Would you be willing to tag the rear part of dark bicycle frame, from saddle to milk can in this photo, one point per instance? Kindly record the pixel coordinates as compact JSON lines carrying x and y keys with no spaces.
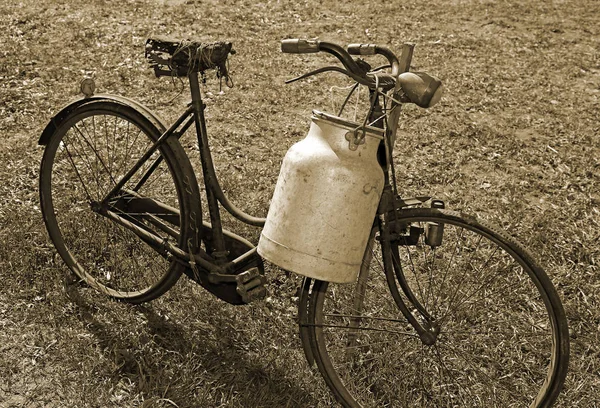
{"x":215,"y":263}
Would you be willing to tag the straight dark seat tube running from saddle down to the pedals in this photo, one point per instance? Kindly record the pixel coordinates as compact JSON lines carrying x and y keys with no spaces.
{"x":218,"y":250}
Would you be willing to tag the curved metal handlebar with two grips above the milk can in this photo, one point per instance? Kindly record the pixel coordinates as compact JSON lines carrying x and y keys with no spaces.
{"x":302,"y":46}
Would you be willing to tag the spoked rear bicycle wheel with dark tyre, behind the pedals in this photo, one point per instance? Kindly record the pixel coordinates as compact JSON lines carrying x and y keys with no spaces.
{"x":91,"y":149}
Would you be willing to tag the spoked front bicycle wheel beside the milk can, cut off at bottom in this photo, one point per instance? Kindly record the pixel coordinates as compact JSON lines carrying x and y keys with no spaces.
{"x":501,"y":332}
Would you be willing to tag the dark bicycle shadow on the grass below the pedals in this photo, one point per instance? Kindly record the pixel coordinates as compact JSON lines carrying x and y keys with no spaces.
{"x":218,"y":364}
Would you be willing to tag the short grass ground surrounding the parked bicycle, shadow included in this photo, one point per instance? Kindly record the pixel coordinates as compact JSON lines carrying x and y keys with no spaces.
{"x":516,"y":140}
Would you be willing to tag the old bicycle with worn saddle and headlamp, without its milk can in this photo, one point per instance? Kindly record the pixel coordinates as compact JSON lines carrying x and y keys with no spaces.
{"x":445,"y":310}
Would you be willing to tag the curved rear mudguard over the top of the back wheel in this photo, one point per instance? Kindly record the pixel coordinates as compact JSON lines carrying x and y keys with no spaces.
{"x":57,"y":119}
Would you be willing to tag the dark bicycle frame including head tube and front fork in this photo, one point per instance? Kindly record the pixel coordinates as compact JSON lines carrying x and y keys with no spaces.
{"x":214,"y":261}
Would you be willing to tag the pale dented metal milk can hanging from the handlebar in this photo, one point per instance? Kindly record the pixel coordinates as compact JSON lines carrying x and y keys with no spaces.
{"x":325,"y":201}
